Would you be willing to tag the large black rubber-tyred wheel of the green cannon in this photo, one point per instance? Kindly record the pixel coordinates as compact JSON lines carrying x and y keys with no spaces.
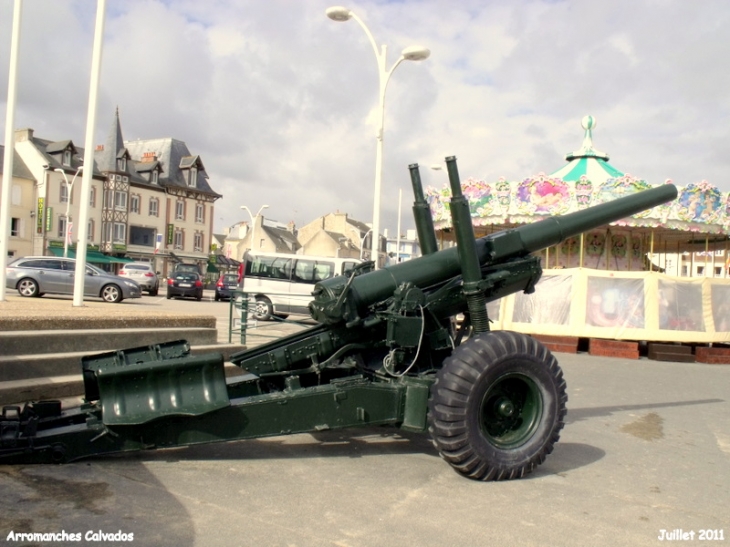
{"x":497,"y":406}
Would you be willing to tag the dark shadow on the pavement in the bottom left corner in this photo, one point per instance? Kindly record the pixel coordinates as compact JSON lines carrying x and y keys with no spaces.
{"x":91,"y":498}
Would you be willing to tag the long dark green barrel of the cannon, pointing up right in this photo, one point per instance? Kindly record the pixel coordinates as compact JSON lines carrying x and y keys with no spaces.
{"x":373,"y":287}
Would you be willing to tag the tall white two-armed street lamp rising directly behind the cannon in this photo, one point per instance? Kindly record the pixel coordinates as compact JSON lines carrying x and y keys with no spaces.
{"x":411,"y":53}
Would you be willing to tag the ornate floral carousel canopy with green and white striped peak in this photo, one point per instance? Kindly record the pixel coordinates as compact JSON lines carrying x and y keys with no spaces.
{"x":588,"y":179}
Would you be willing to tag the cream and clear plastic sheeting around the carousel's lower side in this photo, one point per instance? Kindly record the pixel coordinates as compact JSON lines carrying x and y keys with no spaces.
{"x":620,"y":305}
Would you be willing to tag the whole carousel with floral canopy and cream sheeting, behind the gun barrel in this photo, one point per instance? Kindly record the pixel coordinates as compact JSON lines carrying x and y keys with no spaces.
{"x":624,"y":281}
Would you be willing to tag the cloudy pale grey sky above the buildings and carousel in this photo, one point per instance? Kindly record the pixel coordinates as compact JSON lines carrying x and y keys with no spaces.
{"x":281,"y":103}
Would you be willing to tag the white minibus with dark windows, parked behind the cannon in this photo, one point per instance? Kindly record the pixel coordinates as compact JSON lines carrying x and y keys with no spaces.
{"x":282,"y":284}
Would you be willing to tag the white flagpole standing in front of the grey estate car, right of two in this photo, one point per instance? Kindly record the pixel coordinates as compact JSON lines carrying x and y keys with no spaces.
{"x":88,"y":172}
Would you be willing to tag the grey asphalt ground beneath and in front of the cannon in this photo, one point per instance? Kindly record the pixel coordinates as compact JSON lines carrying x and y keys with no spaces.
{"x":646,"y":448}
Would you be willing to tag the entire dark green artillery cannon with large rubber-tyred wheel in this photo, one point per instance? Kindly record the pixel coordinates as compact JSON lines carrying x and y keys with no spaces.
{"x":385,"y":352}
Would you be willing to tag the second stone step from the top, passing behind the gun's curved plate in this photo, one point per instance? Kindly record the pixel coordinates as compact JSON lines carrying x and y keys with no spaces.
{"x":22,"y":367}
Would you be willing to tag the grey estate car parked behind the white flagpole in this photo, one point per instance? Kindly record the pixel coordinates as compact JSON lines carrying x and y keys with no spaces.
{"x":38,"y":275}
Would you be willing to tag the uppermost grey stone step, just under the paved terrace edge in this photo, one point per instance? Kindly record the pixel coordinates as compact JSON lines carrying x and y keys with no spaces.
{"x":32,"y":342}
